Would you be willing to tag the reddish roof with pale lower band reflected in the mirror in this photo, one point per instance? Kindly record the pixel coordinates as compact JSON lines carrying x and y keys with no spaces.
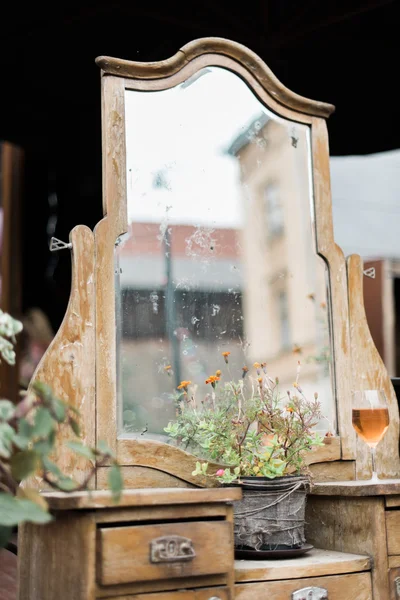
{"x":200,"y":258}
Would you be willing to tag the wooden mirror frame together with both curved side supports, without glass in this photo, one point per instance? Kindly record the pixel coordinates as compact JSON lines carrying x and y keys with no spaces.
{"x":356,"y":361}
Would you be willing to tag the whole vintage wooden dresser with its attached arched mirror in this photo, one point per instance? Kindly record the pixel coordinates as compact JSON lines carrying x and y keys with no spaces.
{"x":169,"y":279}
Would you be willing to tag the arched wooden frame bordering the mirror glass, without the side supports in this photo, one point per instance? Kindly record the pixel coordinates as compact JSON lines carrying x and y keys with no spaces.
{"x":117,"y":76}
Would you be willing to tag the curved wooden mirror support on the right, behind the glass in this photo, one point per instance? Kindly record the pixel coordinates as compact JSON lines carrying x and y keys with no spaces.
{"x":369,"y":372}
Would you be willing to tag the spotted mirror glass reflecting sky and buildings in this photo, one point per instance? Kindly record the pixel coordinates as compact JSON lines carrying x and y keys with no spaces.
{"x":219,"y":255}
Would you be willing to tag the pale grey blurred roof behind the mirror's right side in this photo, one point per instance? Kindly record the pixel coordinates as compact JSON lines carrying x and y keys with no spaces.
{"x":366,"y":204}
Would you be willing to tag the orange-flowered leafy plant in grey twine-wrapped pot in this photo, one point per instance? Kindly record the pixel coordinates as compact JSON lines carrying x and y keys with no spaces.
{"x":260,"y":437}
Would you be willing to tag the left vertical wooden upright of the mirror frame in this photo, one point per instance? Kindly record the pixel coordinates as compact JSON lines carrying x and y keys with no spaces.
{"x":106,"y":233}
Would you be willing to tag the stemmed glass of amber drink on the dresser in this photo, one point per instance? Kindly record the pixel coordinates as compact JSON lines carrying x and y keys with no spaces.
{"x":370,"y":417}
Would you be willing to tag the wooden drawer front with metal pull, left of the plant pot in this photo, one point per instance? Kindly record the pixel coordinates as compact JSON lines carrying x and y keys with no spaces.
{"x":123,"y":553}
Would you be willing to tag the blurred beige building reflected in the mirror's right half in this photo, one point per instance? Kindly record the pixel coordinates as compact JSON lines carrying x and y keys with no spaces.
{"x":285,"y":292}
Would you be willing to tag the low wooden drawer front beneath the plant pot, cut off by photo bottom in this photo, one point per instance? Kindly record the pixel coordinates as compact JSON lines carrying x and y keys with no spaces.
{"x":338,"y":587}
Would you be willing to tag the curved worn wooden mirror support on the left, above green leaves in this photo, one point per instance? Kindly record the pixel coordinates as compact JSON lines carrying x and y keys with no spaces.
{"x":68,"y":365}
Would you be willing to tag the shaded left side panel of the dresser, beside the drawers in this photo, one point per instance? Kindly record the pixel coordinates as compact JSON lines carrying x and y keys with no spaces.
{"x":57,"y":561}
